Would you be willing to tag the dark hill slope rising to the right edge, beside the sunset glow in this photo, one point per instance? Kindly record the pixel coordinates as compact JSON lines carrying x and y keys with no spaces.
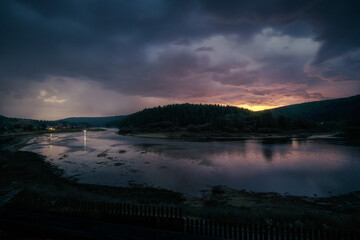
{"x":341,"y":109}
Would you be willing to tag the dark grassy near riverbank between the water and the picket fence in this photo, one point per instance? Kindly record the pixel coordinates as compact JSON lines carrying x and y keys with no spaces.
{"x":28,"y":176}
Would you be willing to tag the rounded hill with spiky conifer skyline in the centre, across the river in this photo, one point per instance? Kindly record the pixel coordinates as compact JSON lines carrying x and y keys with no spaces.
{"x":198,"y":117}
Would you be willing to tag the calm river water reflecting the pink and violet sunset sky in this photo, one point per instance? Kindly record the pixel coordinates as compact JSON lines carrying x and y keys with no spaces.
{"x":300,"y":167}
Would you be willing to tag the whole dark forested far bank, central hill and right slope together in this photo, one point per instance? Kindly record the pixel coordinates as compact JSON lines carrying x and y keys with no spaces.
{"x":322,"y":116}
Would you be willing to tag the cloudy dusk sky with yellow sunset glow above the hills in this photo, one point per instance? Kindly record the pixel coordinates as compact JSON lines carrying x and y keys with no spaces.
{"x":111,"y":57}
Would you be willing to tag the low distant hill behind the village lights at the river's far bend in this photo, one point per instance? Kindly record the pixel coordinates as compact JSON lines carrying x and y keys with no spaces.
{"x":96,"y":121}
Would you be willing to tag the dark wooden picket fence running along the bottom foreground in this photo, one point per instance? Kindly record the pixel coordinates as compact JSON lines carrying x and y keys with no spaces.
{"x":171,"y":218}
